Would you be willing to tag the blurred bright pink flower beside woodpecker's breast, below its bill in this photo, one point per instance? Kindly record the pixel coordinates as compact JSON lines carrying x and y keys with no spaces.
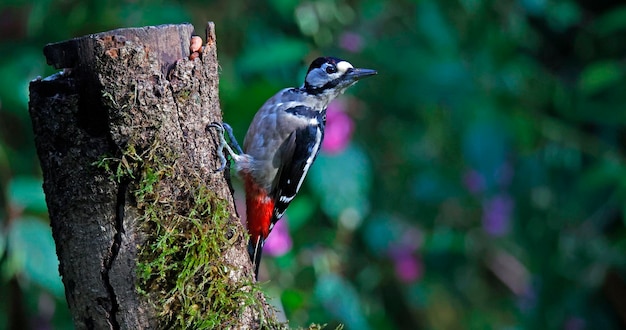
{"x":339,"y":128}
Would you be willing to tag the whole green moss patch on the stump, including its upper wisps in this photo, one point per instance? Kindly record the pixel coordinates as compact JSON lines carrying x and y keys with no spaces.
{"x":179,"y":267}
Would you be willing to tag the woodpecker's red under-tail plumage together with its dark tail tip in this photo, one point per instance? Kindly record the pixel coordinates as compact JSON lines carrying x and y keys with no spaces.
{"x":259,"y":210}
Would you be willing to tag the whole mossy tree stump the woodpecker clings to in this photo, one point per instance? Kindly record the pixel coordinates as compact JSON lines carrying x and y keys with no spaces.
{"x":127,"y":162}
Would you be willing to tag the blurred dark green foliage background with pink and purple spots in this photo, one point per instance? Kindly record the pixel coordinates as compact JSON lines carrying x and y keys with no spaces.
{"x":478,"y":182}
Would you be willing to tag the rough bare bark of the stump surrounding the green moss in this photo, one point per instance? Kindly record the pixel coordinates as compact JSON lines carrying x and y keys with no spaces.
{"x":128,"y":88}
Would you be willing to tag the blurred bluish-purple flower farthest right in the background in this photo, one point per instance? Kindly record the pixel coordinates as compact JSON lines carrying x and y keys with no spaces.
{"x":497,"y":215}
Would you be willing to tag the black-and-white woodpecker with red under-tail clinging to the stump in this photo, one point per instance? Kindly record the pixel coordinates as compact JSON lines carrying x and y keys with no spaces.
{"x":281,"y":144}
